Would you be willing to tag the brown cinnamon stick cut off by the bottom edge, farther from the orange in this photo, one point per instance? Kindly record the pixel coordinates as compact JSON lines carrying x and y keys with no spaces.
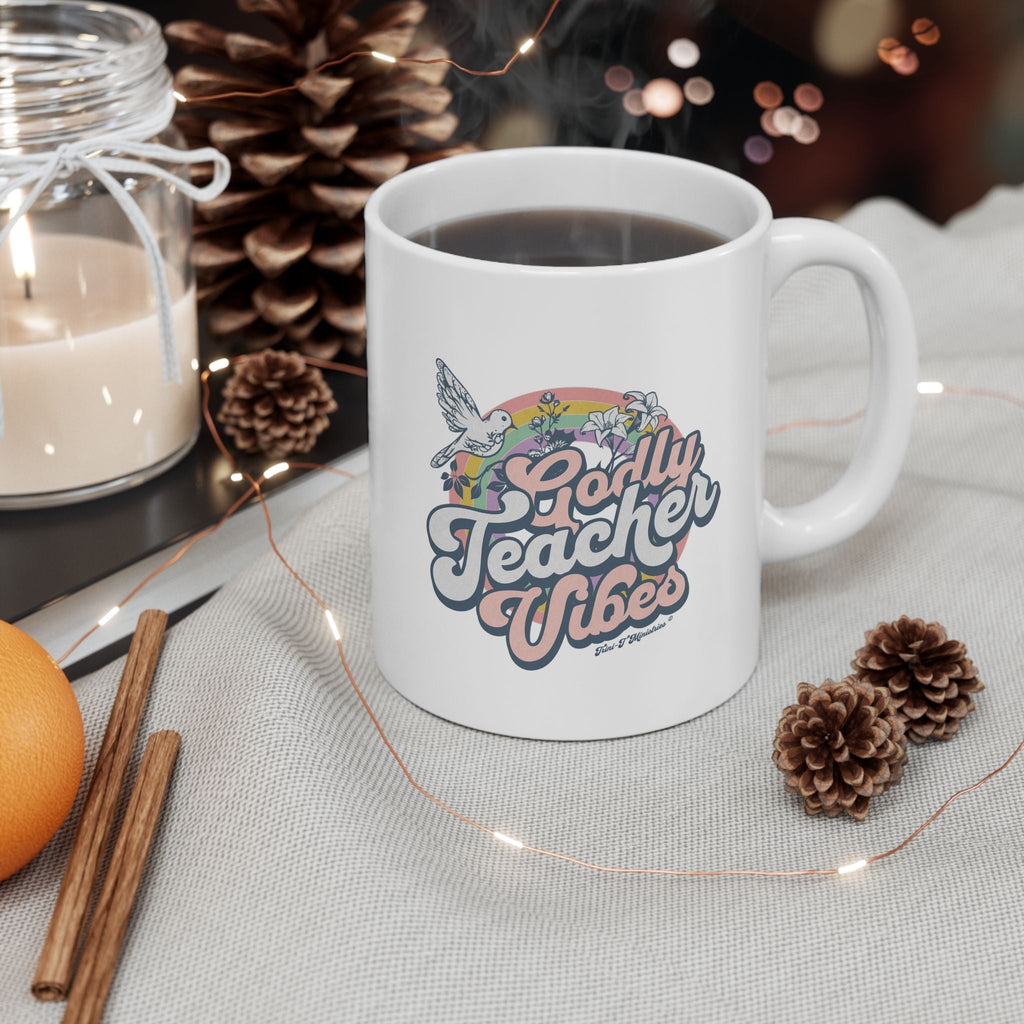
{"x":110,"y":922}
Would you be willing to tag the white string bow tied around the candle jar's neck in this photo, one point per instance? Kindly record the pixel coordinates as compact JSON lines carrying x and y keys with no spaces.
{"x":37,"y":172}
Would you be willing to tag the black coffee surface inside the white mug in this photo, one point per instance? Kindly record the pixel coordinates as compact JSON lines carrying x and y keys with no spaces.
{"x":568,"y":238}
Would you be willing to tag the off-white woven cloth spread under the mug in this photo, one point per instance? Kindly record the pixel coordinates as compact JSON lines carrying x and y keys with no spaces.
{"x":297,"y":877}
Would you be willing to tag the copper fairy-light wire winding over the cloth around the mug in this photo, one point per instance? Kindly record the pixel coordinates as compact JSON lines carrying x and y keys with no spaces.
{"x":255,"y":489}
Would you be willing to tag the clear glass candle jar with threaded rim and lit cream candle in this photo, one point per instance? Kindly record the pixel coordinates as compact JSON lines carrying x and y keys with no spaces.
{"x":99,"y":357}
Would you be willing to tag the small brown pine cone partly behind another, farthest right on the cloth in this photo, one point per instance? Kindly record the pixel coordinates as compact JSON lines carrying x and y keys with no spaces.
{"x":930,"y":677}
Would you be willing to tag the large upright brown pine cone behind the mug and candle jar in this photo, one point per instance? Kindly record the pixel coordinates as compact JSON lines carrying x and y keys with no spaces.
{"x":279,"y":257}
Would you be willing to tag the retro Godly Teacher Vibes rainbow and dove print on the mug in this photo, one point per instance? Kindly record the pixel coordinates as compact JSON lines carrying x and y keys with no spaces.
{"x":567,"y":517}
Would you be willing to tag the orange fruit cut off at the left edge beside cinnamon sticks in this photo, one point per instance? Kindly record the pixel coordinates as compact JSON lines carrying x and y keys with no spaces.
{"x":42,"y":749}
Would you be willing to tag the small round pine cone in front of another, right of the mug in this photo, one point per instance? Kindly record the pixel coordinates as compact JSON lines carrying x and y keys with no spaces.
{"x":841,"y":745}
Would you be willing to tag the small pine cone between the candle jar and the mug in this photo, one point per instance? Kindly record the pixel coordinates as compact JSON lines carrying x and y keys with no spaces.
{"x":275,"y":404}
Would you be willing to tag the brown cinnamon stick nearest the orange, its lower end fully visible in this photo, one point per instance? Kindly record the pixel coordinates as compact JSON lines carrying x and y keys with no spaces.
{"x":57,"y":962}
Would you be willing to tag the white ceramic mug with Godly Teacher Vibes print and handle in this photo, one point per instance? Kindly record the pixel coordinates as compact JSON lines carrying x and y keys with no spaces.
{"x":568,"y":507}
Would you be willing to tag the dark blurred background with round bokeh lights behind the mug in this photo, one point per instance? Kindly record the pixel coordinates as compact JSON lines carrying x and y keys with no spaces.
{"x":922,"y":101}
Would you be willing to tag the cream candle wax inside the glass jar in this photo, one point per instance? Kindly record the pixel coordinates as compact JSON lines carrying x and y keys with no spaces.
{"x":80,"y":367}
